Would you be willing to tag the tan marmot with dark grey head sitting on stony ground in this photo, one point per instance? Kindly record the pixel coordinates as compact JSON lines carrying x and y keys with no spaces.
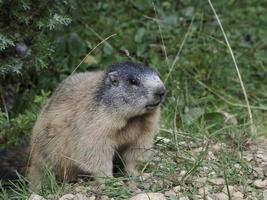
{"x":93,"y":116}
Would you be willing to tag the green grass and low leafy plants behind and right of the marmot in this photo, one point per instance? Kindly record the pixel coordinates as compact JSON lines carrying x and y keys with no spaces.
{"x":185,"y":43}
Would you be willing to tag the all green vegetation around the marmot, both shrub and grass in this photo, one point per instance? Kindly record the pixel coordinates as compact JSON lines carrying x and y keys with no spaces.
{"x":41,"y":45}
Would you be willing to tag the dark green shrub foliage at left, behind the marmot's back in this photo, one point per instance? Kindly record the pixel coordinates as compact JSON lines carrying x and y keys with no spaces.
{"x":26,"y":47}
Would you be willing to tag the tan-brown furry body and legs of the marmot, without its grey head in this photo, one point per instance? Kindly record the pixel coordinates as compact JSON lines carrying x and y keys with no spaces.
{"x":72,"y":135}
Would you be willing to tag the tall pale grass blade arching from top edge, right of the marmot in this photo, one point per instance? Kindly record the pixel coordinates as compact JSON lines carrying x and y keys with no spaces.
{"x":252,"y":126}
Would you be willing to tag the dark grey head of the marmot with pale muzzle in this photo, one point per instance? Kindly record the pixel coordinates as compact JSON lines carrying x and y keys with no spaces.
{"x":131,"y":89}
